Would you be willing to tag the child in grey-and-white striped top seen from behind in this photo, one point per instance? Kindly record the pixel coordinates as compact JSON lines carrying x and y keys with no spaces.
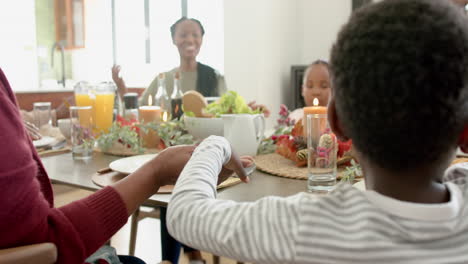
{"x":400,"y":92}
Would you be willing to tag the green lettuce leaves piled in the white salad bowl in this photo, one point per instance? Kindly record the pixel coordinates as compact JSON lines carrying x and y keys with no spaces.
{"x":230,"y":103}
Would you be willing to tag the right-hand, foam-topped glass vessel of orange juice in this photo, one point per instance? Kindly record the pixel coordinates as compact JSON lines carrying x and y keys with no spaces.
{"x":104,"y":94}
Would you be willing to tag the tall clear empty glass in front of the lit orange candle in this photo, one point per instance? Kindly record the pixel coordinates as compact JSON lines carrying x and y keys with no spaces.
{"x":322,"y":154}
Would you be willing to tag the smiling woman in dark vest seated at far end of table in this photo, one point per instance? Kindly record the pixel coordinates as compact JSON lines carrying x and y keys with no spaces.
{"x":187,"y":36}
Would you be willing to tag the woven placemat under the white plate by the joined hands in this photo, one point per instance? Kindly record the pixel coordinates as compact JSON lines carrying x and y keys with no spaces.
{"x":106,"y":179}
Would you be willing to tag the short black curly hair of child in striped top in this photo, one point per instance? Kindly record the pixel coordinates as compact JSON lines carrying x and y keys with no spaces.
{"x":400,"y":75}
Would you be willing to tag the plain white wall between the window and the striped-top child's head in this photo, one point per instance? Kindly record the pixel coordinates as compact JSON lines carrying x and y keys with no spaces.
{"x":263,"y":38}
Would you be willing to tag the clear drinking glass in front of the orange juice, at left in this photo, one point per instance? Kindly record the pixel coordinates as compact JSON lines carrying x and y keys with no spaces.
{"x":81,"y":133}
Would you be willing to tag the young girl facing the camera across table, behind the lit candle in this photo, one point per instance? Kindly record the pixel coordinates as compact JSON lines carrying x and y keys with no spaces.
{"x":316,"y":84}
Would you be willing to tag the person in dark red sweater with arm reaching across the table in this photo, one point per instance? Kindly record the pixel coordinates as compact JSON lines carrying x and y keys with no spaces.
{"x":78,"y":229}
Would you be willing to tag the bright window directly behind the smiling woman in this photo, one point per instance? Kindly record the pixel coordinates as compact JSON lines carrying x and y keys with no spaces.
{"x":141,"y":60}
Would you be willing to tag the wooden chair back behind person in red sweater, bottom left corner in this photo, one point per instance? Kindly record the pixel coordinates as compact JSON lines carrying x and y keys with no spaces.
{"x":44,"y":253}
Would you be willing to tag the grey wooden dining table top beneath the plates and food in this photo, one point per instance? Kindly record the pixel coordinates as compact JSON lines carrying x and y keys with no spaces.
{"x":64,"y":169}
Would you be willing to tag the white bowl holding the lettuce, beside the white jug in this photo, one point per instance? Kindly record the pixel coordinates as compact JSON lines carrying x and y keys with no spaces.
{"x":203,"y":127}
